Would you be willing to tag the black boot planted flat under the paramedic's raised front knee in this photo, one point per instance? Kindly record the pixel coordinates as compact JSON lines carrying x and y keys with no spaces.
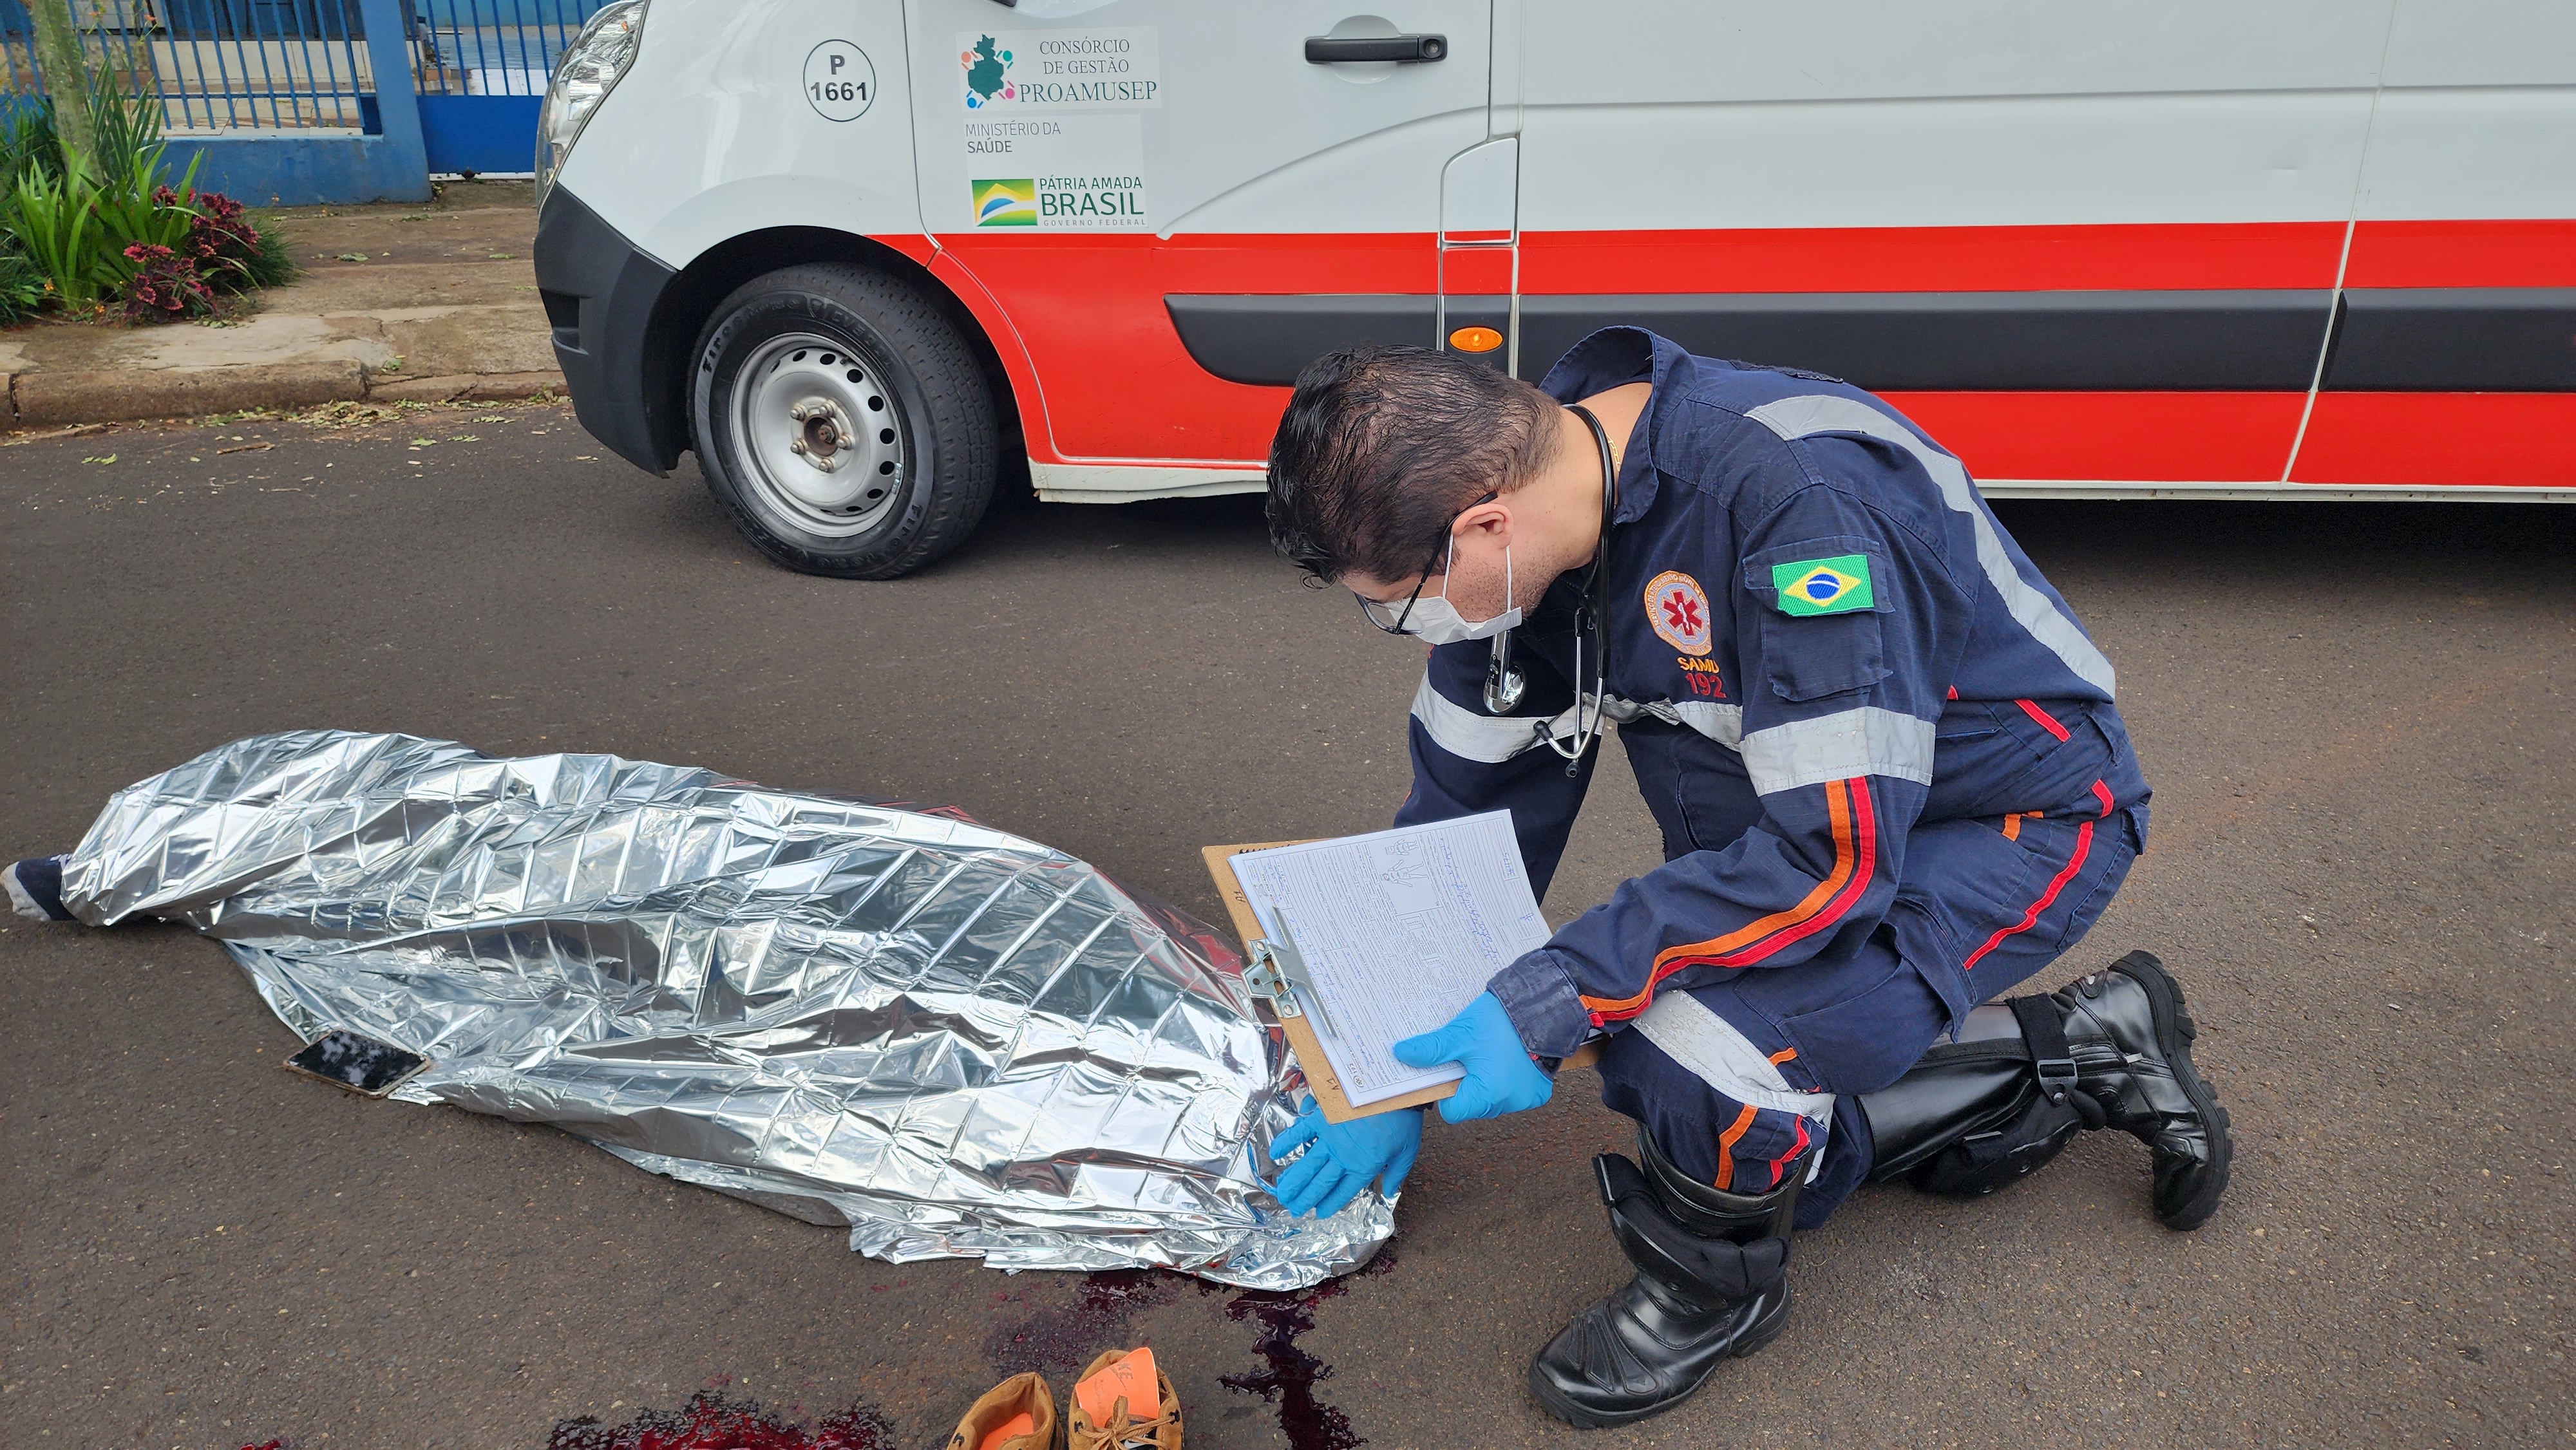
{"x":1709,"y":1286}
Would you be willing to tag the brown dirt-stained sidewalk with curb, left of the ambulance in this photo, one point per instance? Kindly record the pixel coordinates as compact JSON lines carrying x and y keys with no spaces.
{"x":401,"y":303}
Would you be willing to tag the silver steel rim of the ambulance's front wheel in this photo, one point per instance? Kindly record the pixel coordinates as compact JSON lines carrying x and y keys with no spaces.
{"x":818,"y":437}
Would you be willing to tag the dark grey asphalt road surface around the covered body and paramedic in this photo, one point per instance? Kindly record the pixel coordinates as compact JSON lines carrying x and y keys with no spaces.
{"x":2358,"y":725}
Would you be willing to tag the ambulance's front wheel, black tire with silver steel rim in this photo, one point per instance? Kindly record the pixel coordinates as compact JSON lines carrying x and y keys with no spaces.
{"x":885,"y":388}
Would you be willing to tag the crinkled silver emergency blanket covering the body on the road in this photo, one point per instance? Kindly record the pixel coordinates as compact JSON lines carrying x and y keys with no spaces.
{"x":952,"y":1039}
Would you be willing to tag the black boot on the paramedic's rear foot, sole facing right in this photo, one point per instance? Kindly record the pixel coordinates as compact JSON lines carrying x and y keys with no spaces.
{"x":2106,"y":1052}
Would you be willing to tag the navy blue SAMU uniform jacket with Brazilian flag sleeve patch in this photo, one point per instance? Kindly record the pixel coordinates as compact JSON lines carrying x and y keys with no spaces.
{"x":1817,"y":640}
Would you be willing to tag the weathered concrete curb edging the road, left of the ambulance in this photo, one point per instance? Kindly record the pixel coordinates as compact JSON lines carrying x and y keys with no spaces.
{"x":133,"y":395}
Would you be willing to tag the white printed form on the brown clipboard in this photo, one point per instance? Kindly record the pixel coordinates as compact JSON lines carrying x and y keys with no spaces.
{"x":1397,"y":931}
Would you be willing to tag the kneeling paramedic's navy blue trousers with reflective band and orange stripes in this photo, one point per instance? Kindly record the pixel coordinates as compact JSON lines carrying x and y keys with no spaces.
{"x":1799,"y":1044}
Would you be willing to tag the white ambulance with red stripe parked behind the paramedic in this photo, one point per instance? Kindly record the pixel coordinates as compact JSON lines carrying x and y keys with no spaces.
{"x":862,"y":254}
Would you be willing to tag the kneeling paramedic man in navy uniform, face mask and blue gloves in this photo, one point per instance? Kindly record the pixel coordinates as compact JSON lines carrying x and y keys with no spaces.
{"x":1889,"y":777}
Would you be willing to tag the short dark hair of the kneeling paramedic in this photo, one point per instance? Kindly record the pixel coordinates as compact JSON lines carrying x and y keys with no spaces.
{"x":1385,"y":447}
